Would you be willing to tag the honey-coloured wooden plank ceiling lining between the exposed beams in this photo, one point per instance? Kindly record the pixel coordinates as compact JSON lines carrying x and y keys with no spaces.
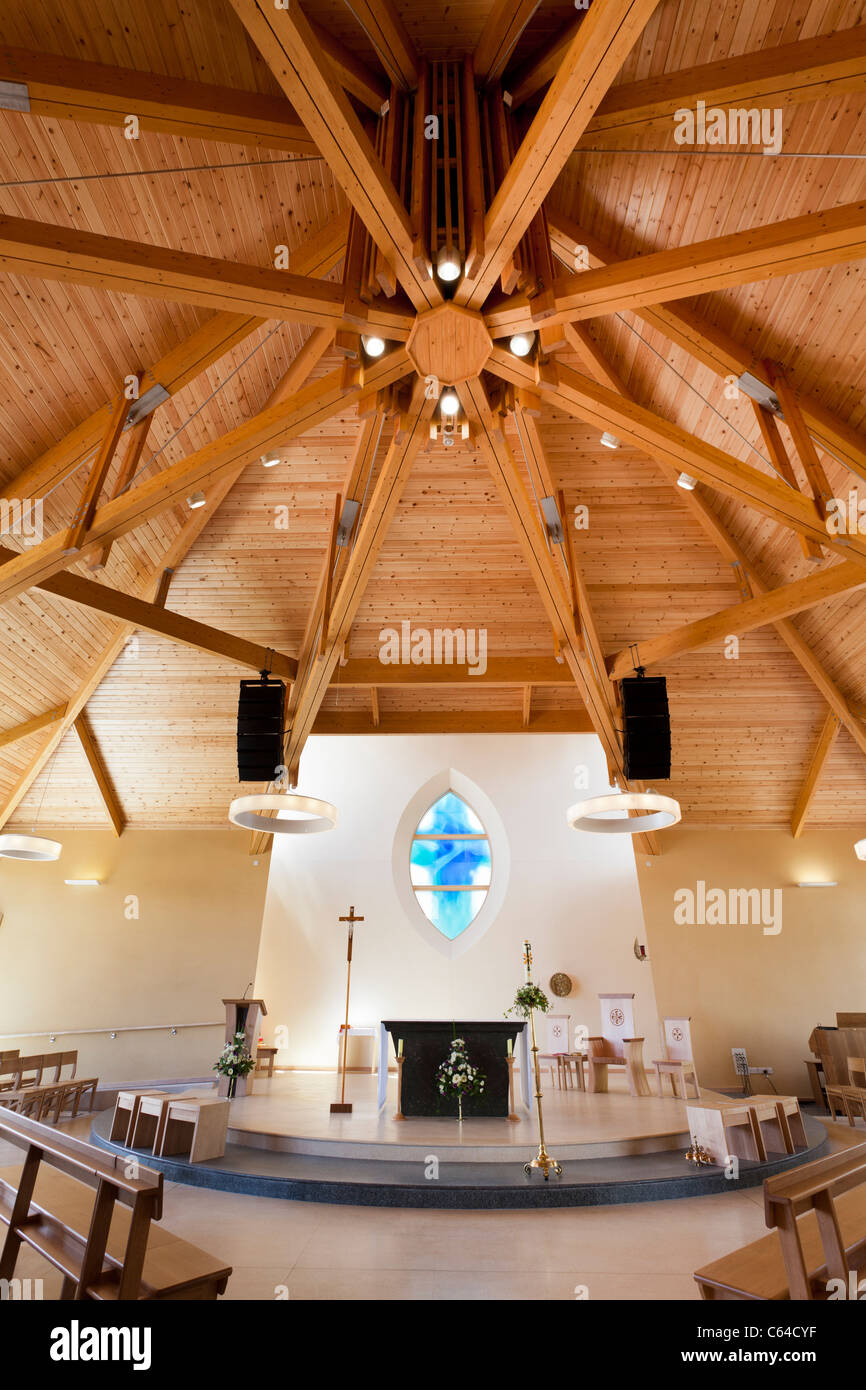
{"x":775,"y":737}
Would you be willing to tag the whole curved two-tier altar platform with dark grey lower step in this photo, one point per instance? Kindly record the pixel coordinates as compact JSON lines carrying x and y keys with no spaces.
{"x":283,"y":1142}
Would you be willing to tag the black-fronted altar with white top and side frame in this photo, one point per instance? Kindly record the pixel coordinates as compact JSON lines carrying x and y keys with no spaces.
{"x":426,"y":1045}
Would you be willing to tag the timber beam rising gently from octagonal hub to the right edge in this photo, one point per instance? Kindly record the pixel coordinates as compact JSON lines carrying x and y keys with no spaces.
{"x":787,"y":248}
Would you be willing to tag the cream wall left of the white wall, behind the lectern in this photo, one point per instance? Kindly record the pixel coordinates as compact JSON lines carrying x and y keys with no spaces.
{"x":72,"y":958}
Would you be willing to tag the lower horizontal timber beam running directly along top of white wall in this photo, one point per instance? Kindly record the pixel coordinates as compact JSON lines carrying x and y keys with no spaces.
{"x":452,"y":722}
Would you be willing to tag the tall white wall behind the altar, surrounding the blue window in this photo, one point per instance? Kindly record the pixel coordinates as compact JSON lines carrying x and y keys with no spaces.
{"x":575,"y":894}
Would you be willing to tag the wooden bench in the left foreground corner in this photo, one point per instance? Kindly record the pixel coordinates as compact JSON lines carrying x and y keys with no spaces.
{"x":77,"y":1207}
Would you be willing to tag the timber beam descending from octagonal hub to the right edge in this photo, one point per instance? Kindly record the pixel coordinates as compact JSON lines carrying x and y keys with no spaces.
{"x":661,"y":440}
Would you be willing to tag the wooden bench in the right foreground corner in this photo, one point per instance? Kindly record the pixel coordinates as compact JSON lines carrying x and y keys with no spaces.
{"x":818,"y":1232}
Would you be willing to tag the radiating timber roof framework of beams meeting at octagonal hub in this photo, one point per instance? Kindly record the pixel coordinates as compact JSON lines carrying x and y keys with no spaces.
{"x":518,"y":276}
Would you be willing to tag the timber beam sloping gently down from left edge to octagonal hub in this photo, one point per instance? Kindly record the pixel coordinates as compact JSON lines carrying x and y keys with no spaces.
{"x":38,"y":250}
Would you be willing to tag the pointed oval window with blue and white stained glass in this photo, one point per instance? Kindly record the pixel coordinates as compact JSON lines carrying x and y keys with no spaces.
{"x":451,"y":865}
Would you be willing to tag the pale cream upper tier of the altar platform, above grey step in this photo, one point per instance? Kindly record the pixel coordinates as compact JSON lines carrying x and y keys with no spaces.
{"x":290,"y":1113}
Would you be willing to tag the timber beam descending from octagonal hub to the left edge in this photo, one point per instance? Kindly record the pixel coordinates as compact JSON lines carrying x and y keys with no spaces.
{"x":295,"y":416}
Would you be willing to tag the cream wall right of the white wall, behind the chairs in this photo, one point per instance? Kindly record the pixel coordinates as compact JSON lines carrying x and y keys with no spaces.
{"x":742,"y":988}
